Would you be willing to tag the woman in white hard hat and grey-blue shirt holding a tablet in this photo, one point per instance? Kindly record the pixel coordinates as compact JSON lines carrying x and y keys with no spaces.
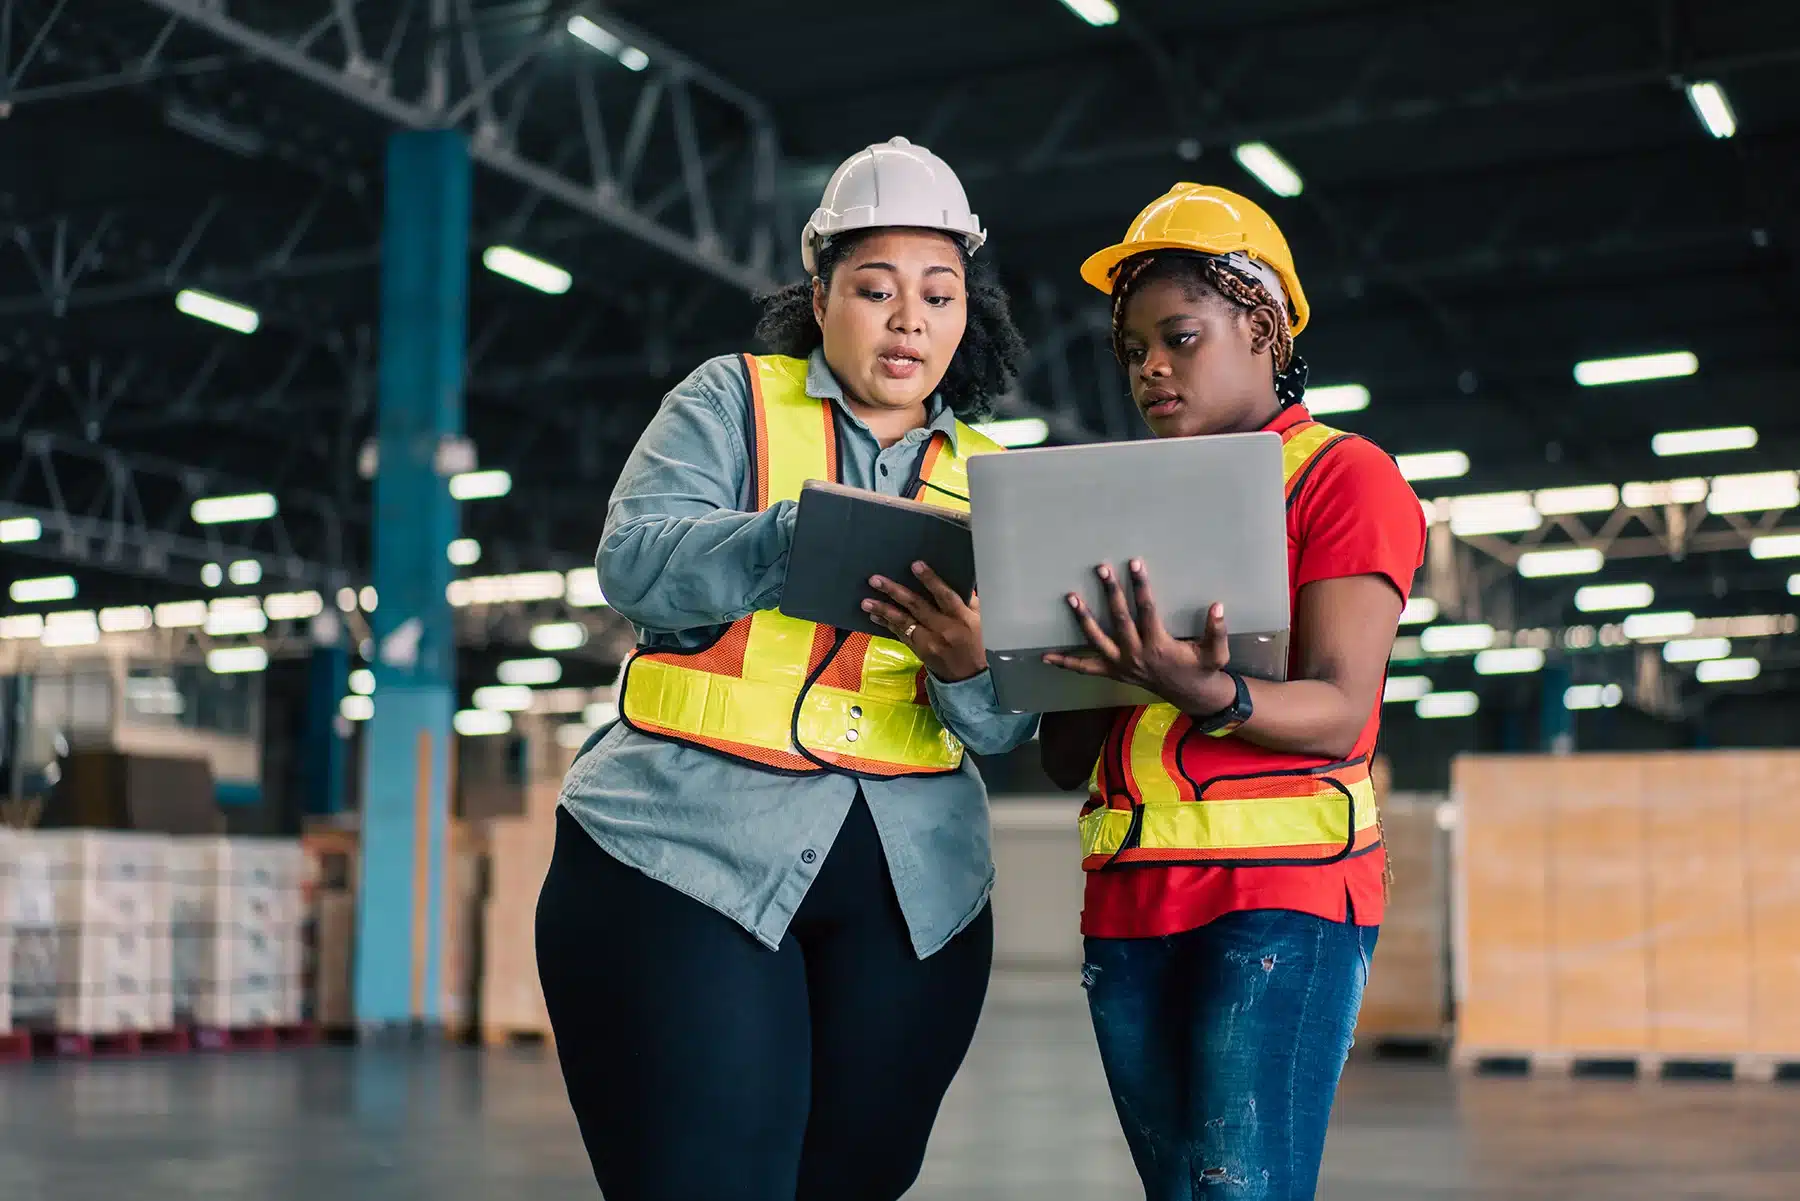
{"x":766,"y":934}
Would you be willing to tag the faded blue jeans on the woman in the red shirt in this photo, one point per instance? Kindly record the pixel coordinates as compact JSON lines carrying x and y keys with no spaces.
{"x":1223,"y":1047}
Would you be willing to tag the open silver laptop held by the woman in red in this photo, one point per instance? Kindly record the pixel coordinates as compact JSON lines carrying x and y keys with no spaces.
{"x":1207,"y":516}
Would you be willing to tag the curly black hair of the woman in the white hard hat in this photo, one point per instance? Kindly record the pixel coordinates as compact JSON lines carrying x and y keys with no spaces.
{"x":984,"y":366}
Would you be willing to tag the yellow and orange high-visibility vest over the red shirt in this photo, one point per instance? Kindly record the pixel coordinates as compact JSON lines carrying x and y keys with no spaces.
{"x":1151,"y":802}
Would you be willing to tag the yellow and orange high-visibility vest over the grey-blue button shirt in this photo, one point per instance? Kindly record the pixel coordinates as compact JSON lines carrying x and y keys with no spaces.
{"x":793,"y":696}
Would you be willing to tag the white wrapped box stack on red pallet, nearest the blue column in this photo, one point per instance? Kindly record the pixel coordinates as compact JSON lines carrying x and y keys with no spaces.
{"x":237,"y":919}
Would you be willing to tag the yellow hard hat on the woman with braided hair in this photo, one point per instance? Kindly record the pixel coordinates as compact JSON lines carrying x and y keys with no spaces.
{"x":1207,"y":221}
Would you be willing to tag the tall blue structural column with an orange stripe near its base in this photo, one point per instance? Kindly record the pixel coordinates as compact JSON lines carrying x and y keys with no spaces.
{"x":406,"y":782}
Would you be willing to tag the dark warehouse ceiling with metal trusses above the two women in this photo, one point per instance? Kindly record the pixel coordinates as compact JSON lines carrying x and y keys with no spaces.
{"x":1495,"y":190}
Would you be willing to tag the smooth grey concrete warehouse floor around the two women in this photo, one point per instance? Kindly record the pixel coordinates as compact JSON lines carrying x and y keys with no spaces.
{"x":1029,"y":1119}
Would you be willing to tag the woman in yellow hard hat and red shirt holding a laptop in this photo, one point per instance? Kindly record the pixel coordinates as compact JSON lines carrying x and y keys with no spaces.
{"x":1234,"y":851}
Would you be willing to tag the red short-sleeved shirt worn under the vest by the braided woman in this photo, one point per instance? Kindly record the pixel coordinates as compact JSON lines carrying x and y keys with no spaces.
{"x":1354,"y":516}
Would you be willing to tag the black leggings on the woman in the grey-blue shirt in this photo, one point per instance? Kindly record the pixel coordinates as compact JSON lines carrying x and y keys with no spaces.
{"x":705,"y":1067}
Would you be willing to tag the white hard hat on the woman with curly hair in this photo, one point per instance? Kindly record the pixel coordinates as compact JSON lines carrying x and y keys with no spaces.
{"x":892,"y":183}
